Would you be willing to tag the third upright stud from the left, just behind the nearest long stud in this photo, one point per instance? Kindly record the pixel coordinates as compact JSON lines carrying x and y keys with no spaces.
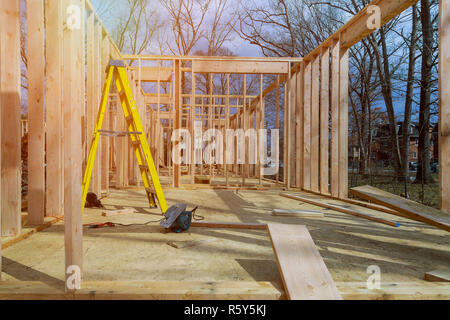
{"x":54,"y":173}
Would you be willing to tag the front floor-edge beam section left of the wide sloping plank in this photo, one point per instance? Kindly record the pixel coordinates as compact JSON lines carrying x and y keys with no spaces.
{"x":150,"y":290}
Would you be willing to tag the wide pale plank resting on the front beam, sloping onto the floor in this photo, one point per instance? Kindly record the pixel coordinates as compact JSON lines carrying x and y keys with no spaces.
{"x":304,"y":273}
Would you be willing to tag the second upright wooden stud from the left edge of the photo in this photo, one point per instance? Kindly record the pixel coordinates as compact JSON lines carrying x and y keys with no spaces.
{"x":36,"y":119}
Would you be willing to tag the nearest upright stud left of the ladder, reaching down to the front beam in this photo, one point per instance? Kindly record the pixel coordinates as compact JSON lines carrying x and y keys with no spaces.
{"x":73,"y":78}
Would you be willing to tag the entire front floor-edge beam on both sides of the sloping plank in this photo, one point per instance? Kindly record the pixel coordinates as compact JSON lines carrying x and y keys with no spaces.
{"x":200,"y":290}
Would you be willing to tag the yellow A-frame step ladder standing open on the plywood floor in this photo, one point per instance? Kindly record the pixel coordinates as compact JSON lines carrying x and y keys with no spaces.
{"x":117,"y":72}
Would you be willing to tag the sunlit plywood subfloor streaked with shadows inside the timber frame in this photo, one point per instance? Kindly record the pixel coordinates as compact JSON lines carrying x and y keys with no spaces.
{"x":348,"y":245}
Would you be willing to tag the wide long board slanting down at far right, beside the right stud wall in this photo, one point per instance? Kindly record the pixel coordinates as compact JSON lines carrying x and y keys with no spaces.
{"x":415,"y":211}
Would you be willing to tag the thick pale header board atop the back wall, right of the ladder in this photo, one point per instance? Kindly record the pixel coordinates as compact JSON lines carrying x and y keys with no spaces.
{"x":240,"y":67}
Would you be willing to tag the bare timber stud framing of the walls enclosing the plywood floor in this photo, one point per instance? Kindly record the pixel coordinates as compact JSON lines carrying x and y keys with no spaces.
{"x":66,"y":70}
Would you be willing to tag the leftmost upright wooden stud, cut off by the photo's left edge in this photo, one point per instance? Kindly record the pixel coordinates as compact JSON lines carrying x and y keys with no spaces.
{"x":11,"y":203}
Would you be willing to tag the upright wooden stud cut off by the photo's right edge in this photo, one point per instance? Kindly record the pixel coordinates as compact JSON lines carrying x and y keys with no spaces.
{"x":444,"y":105}
